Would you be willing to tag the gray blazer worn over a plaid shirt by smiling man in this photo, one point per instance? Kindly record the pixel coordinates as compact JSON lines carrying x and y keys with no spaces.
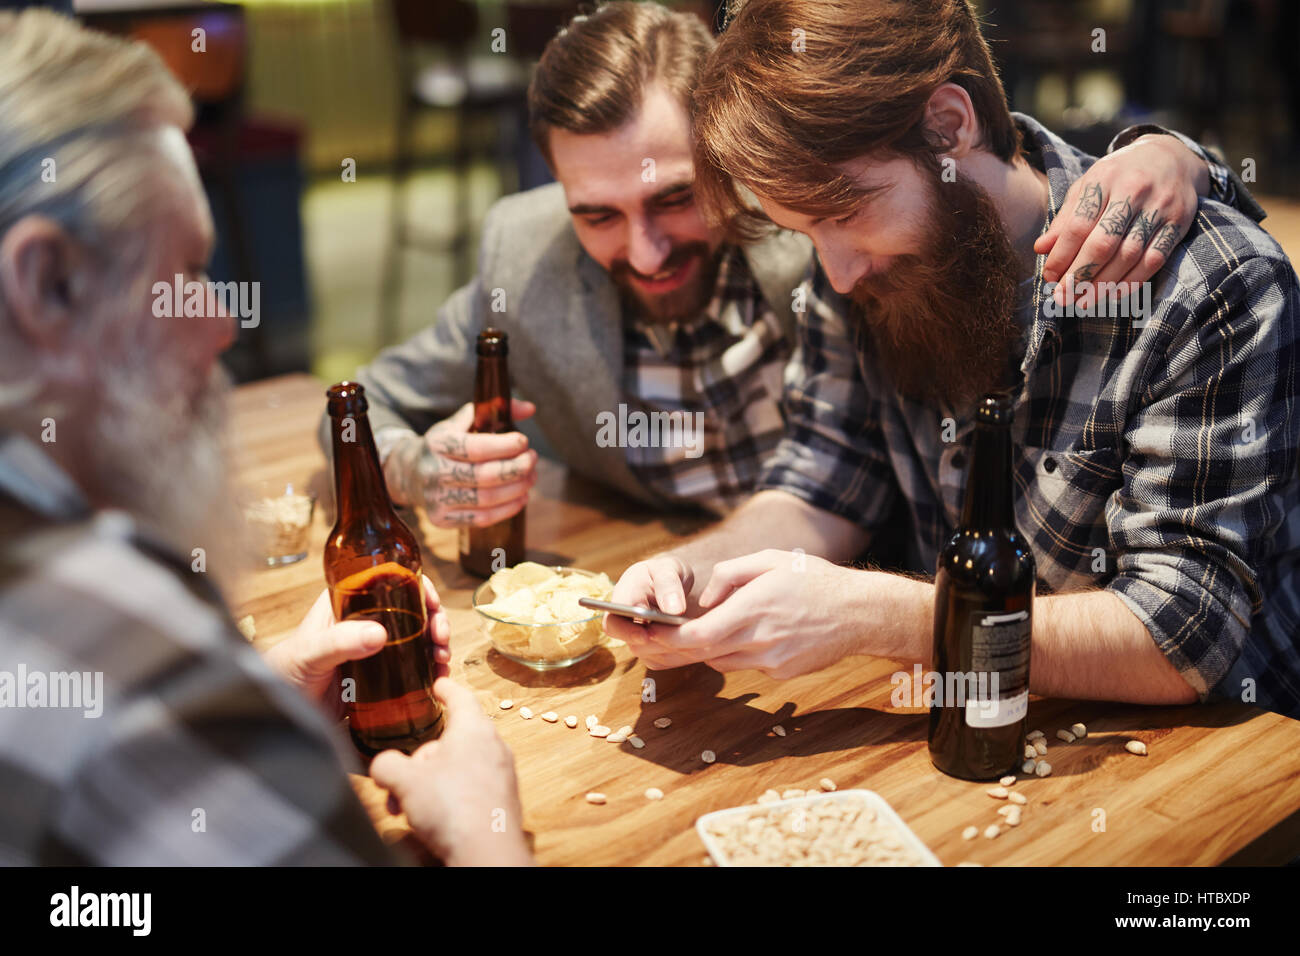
{"x":562,"y":313}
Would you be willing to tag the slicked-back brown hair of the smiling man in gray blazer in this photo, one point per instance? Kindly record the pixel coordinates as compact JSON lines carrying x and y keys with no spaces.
{"x":593,"y":75}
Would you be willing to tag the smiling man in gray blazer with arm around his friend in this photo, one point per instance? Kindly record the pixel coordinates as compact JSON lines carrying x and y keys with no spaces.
{"x":626,"y":312}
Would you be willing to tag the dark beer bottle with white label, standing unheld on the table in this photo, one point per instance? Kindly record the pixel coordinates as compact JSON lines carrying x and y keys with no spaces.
{"x":983,"y":616}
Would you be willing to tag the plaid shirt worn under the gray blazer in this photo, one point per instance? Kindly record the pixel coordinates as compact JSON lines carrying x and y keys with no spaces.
{"x":727,"y":366}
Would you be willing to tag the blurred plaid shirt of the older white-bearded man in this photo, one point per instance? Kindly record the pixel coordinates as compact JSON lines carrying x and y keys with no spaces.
{"x":201,"y":755}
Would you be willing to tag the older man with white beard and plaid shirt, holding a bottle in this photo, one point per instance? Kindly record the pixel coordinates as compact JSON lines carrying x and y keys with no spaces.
{"x":111,"y":473}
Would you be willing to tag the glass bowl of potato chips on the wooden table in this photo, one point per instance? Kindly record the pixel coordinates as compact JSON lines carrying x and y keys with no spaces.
{"x":531,"y":613}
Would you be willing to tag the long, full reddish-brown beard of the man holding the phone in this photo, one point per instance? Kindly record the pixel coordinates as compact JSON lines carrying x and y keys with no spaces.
{"x":943,"y":325}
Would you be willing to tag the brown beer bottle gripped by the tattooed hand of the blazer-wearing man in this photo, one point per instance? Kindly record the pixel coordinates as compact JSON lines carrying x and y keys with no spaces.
{"x":484,"y":551}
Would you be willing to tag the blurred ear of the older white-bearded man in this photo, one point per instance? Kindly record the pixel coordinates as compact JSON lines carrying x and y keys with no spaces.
{"x":38,"y":279}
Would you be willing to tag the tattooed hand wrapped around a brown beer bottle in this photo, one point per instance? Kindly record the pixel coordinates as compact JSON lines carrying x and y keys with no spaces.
{"x":462,"y":478}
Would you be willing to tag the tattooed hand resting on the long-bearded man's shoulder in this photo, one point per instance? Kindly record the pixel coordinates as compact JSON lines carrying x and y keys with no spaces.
{"x":1123,"y":218}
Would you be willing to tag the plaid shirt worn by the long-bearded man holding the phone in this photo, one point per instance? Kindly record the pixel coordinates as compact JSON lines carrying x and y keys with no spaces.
{"x":1156,"y":460}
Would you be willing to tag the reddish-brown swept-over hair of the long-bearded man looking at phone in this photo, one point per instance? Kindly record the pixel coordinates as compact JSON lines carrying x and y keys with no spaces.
{"x":799,"y":86}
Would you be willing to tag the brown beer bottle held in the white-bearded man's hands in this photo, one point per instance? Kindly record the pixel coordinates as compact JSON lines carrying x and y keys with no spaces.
{"x":372,"y":566}
